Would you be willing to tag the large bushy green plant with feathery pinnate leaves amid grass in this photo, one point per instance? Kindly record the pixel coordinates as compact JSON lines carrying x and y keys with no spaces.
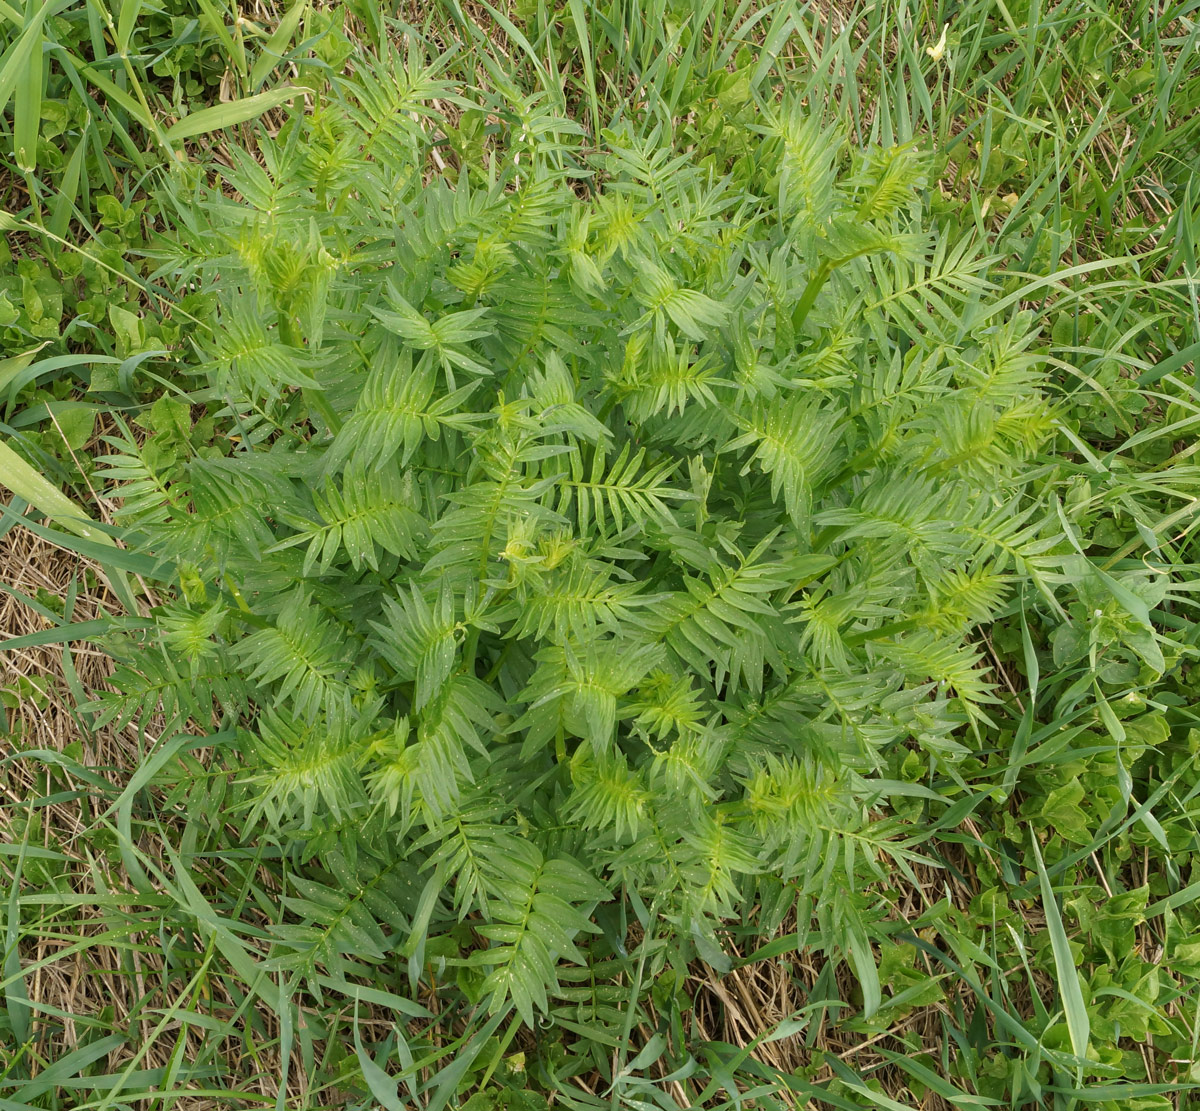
{"x":593,"y":541}
